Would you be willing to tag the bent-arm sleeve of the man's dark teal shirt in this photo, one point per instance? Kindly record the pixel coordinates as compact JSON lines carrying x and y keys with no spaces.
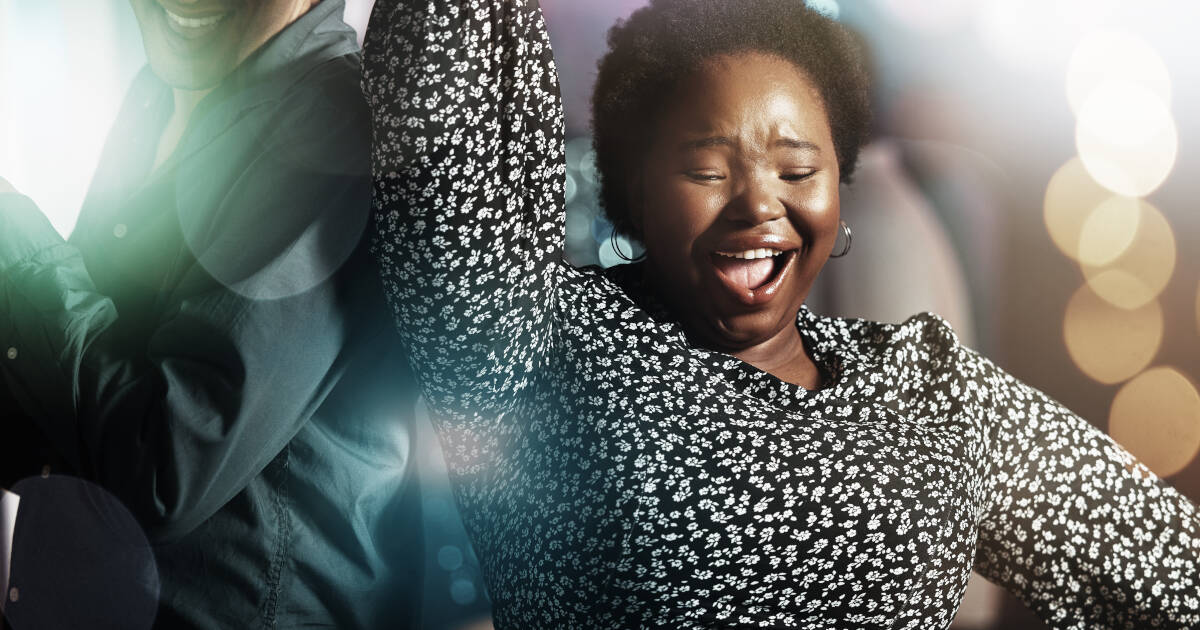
{"x":176,"y":416}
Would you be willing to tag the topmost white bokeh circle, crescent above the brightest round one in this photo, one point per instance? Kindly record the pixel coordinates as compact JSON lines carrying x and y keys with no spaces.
{"x":1108,"y":56}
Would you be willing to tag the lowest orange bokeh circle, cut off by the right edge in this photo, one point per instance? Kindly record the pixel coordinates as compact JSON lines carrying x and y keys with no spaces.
{"x":1157,"y":418}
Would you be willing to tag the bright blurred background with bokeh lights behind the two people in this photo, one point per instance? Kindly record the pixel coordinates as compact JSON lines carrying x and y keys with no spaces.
{"x":1034,"y":179}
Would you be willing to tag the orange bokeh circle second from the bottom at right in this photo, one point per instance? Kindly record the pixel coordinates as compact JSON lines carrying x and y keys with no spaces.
{"x":1111,"y":345}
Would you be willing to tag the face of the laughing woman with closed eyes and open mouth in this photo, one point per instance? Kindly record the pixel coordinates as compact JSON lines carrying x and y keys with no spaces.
{"x":737,"y":201}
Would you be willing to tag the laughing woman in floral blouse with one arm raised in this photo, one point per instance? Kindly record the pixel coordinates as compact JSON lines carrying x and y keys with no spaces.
{"x":681,"y":443}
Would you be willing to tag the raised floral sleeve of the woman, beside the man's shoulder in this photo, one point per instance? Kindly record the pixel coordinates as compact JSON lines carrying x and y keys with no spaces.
{"x":469,"y":176}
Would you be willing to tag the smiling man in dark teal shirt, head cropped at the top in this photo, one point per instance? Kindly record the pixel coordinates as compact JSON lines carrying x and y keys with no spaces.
{"x":212,"y":349}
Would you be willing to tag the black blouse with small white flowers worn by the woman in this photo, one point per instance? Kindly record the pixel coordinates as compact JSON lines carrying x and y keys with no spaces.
{"x":615,"y":476}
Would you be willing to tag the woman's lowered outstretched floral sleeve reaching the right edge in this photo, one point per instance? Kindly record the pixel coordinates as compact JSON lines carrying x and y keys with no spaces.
{"x":1073,"y":525}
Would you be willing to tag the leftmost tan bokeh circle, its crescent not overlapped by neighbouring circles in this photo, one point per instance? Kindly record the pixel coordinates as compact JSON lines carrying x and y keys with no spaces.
{"x":1072,"y":199}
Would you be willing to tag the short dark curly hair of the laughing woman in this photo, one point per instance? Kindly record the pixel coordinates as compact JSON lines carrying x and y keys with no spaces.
{"x":661,"y":45}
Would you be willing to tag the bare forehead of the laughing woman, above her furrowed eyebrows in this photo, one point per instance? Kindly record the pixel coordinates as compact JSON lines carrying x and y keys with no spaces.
{"x":748,"y":95}
